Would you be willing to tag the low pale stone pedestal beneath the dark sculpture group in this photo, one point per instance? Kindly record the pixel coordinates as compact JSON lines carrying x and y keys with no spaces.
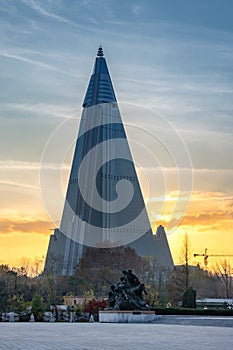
{"x":127,"y":316}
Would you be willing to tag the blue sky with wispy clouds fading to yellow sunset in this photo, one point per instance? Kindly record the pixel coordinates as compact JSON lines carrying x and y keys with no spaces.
{"x":171,"y":63}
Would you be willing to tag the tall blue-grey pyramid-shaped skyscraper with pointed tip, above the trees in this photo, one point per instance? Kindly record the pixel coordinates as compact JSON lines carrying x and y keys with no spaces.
{"x":104,"y":205}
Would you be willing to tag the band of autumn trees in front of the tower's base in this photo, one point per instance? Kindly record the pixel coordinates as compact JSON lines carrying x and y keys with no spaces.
{"x":99,"y":268}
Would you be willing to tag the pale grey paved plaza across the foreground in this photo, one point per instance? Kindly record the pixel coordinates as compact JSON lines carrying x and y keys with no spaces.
{"x":100,"y":336}
